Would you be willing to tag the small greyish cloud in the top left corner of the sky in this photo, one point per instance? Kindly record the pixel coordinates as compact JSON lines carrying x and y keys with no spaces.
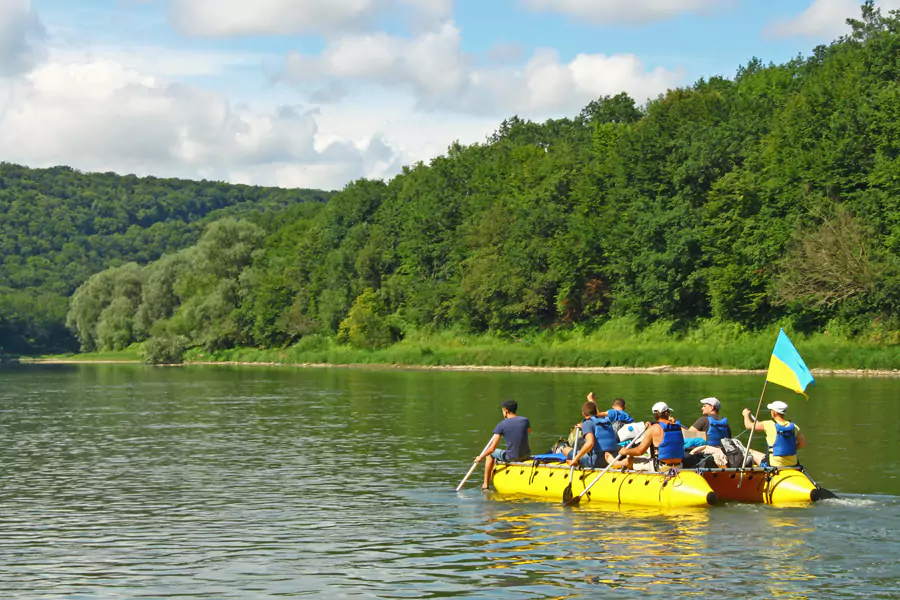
{"x":20,"y":32}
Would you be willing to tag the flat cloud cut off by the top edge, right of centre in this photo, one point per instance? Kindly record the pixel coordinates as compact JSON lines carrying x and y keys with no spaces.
{"x":620,"y":11}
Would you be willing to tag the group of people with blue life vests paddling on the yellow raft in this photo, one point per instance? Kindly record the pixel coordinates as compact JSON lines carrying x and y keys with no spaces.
{"x":599,"y":441}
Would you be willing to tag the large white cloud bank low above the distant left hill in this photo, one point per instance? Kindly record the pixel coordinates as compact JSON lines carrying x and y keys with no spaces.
{"x":100,"y":115}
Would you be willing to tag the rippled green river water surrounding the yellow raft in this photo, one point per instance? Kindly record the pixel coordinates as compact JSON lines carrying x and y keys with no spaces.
{"x":259,"y":482}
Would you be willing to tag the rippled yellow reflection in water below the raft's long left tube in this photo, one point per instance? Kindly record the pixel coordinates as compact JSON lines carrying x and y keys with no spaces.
{"x":632,"y":548}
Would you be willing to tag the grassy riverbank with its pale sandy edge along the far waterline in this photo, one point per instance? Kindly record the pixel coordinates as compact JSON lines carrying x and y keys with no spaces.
{"x":708,"y":349}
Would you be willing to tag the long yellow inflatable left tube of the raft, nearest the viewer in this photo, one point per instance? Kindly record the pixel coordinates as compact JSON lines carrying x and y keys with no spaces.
{"x":549,"y":481}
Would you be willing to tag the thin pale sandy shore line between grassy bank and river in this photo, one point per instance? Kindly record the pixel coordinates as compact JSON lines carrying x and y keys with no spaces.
{"x":662,"y":369}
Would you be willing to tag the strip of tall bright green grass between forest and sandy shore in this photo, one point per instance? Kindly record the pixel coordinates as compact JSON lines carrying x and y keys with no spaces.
{"x":617,"y":343}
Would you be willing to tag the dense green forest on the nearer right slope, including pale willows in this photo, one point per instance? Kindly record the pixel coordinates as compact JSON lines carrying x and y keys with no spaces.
{"x":770,"y":197}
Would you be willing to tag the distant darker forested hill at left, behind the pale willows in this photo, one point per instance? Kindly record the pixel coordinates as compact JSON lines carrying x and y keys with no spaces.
{"x":59,"y":226}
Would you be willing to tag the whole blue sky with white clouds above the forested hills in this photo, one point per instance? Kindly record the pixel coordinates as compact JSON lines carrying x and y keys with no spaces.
{"x":318,"y":93}
